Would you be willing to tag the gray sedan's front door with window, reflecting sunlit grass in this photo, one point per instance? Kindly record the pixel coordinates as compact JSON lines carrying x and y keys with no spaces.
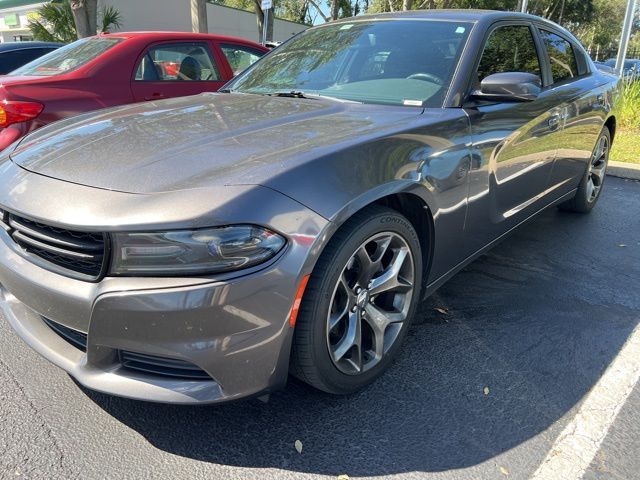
{"x":514,"y":143}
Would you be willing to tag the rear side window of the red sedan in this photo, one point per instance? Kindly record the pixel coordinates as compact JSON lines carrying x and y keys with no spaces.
{"x":178,"y":62}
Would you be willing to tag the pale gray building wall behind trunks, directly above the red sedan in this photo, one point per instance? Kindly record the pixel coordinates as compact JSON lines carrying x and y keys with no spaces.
{"x":176,"y":15}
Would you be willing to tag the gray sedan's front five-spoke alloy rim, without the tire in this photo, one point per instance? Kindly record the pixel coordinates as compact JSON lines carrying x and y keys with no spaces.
{"x":370,"y":303}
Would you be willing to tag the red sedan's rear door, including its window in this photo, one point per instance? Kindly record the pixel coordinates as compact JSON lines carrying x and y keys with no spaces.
{"x":176,"y":69}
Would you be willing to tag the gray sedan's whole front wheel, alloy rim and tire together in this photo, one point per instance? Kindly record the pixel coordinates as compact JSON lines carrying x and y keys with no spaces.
{"x":359,"y":302}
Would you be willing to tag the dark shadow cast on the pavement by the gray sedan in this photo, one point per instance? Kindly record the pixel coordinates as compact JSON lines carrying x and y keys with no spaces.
{"x":536,"y":321}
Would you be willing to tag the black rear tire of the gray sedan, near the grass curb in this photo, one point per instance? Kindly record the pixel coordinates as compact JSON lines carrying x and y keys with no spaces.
{"x":585,"y":198}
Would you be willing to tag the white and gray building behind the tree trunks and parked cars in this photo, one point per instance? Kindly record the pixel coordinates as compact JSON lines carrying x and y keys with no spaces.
{"x":151,"y":15}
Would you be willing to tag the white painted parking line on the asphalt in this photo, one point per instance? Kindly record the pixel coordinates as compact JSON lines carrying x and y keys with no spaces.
{"x":577,"y":445}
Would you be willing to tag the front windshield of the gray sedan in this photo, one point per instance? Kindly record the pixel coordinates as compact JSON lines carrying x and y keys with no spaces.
{"x":395,"y":62}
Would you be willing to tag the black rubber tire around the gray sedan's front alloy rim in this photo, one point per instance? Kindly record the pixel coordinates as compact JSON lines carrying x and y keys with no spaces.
{"x":311,"y":360}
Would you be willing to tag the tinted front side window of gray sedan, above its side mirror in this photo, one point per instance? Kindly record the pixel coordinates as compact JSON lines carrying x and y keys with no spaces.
{"x":509,"y":49}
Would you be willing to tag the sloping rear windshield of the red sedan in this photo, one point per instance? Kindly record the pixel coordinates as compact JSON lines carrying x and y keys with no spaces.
{"x":67,"y":58}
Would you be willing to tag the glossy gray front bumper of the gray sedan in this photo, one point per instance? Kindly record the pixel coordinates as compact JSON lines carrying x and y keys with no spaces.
{"x":233,"y":328}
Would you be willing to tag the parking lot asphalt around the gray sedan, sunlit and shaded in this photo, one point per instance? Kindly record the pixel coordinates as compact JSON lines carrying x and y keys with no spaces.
{"x":497,"y":363}
